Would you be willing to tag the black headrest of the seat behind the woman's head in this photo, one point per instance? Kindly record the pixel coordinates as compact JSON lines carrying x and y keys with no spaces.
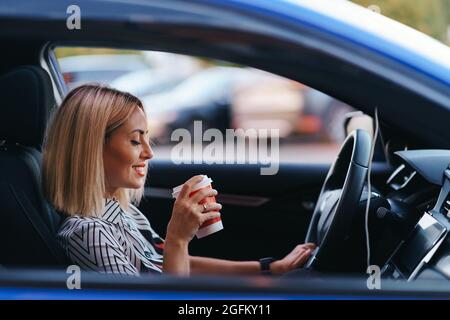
{"x":26,"y":100}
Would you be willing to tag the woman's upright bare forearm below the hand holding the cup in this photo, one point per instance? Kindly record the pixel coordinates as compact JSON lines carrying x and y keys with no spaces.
{"x":176,"y":258}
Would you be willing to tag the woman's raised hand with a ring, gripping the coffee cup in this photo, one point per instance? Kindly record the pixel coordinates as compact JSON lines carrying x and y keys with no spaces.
{"x":187,"y":214}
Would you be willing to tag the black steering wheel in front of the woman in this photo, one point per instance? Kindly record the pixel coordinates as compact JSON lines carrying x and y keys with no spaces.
{"x":336,"y":206}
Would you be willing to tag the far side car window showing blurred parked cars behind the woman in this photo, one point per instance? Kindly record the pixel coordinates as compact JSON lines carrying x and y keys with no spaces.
{"x":197,"y":94}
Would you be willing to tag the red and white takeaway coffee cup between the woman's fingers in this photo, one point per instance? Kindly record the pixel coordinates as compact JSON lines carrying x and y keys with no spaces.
{"x":209,"y":226}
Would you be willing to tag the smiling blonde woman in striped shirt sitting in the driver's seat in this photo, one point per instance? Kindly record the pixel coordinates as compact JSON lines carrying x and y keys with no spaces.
{"x":95,"y":163}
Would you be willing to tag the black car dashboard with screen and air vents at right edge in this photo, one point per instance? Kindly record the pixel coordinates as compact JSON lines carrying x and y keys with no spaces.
{"x":422,"y":177}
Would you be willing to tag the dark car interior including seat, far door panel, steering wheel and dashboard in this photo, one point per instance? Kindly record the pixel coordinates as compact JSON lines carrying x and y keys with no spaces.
{"x":263,"y":215}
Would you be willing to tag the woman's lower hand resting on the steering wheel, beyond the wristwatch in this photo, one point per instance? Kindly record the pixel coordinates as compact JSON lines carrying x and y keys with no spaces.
{"x":293,"y":260}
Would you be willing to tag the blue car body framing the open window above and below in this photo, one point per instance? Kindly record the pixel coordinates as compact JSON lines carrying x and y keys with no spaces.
{"x":344,"y":31}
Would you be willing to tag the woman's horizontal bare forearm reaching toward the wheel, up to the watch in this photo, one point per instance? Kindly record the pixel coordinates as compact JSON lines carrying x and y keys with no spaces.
{"x":202,"y":265}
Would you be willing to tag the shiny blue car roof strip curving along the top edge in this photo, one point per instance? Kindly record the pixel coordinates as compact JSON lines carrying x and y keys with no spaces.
{"x":341,"y":18}
